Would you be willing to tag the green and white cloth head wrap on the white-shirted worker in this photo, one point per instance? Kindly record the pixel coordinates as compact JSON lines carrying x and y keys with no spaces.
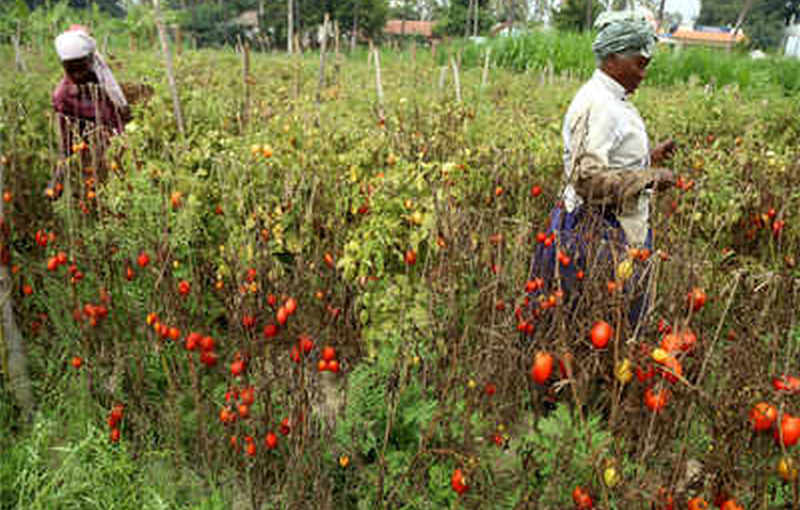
{"x":623,"y":32}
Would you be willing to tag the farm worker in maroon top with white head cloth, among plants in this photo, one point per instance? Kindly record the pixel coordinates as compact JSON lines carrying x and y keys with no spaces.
{"x":88,"y":102}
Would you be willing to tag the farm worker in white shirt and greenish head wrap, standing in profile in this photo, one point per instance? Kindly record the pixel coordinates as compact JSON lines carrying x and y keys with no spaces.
{"x":610,"y":171}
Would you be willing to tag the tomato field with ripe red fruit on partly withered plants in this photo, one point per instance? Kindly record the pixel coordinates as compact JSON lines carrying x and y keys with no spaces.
{"x":320,"y":295}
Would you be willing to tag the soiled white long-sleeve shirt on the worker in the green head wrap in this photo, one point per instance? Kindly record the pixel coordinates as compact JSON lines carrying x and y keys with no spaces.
{"x":607,"y":155}
